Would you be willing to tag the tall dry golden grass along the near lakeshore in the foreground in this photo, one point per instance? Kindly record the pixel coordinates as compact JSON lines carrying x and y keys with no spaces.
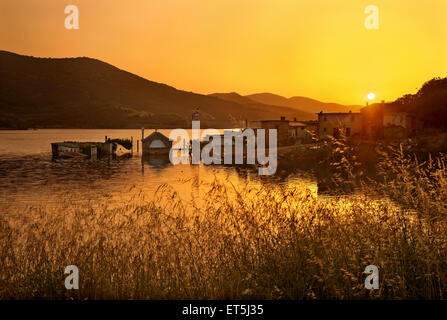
{"x":266,"y":242}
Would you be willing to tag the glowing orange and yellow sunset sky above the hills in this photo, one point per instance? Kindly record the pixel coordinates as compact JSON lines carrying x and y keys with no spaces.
{"x":315,"y":48}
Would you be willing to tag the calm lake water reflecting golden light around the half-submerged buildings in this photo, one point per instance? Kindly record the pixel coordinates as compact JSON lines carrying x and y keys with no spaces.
{"x":30,"y":177}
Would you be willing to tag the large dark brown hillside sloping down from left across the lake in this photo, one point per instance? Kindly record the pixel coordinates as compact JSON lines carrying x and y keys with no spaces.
{"x":88,"y":93}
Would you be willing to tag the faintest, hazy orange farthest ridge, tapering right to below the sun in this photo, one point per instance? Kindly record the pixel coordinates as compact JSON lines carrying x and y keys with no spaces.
{"x":301,"y":103}
